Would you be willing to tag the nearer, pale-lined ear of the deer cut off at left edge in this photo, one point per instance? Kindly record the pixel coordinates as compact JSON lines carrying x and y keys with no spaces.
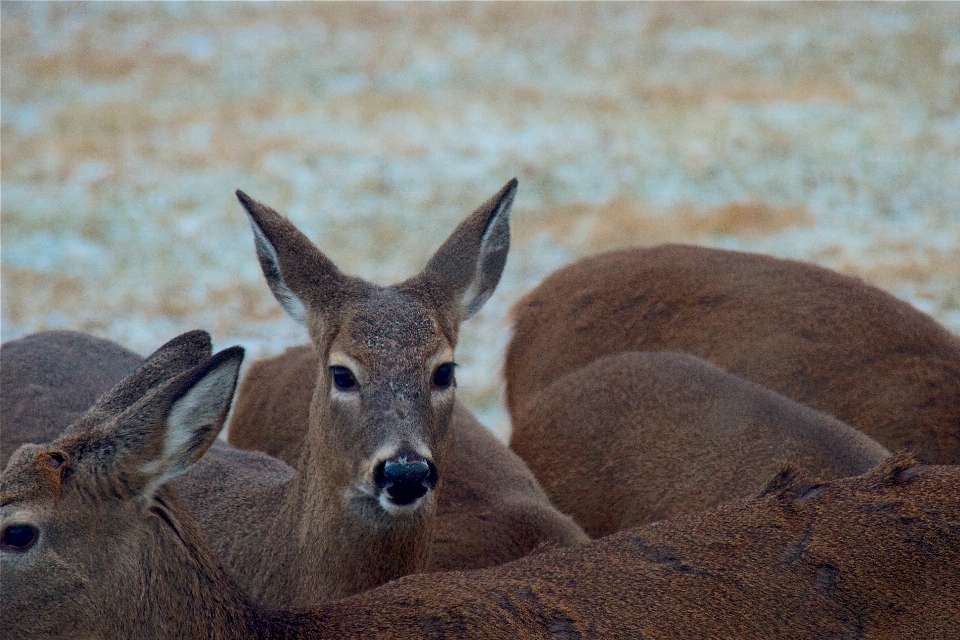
{"x":193,"y":408}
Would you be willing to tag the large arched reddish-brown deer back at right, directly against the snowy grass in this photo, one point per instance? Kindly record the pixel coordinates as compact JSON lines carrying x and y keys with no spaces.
{"x":829,"y":341}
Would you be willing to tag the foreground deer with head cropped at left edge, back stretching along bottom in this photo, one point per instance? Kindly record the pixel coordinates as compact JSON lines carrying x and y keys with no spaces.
{"x":96,"y":542}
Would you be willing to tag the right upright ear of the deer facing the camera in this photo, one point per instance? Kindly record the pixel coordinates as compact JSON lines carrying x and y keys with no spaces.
{"x":466,"y":268}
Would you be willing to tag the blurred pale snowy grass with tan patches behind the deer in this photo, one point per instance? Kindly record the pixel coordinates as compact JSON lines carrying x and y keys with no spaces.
{"x":829,"y":133}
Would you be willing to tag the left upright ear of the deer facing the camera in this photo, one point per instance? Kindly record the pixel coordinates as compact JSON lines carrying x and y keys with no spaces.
{"x":298,"y":273}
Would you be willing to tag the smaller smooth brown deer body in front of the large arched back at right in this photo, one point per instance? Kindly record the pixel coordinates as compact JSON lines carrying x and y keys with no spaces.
{"x":638,"y":437}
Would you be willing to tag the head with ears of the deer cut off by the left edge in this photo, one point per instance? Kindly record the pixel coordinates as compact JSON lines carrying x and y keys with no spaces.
{"x":85,"y":530}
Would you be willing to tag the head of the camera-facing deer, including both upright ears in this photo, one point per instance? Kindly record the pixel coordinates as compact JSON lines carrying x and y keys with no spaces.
{"x":381,"y":412}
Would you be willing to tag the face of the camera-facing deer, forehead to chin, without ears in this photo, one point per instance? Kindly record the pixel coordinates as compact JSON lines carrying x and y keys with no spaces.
{"x":384,"y":403}
